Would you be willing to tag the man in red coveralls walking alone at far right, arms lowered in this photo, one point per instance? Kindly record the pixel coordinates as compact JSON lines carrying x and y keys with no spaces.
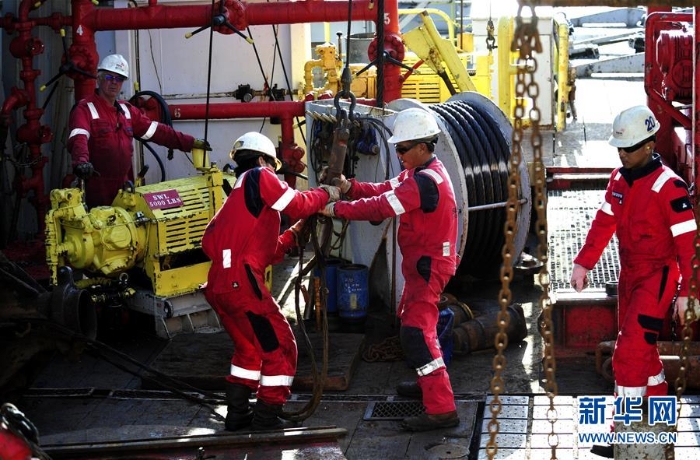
{"x":648,"y":206}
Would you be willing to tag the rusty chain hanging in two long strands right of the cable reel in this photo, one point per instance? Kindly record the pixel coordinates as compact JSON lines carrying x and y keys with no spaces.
{"x":526,"y":41}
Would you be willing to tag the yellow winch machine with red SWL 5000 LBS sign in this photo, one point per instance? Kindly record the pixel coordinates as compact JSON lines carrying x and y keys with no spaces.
{"x":144,"y":251}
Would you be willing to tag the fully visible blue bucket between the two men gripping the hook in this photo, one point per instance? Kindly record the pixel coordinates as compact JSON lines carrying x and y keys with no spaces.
{"x":353,"y":291}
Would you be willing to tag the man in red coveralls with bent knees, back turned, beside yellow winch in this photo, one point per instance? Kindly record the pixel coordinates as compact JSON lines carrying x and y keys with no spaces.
{"x":241,"y":241}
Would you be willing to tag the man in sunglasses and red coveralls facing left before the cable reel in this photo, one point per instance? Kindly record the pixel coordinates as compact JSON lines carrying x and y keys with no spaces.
{"x":423,"y":199}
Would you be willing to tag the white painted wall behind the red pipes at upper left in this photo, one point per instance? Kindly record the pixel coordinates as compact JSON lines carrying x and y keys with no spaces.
{"x":177,"y":68}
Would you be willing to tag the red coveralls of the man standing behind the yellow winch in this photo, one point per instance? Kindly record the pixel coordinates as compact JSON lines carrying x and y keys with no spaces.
{"x":103,"y":135}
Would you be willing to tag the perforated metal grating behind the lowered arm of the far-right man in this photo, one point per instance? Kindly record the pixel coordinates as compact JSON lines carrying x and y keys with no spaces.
{"x":569,"y":216}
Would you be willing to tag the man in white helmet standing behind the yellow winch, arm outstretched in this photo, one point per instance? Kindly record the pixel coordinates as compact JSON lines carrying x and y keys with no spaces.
{"x":101,"y":135}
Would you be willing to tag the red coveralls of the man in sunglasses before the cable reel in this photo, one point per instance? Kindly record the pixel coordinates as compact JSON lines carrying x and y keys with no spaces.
{"x":424,"y":201}
